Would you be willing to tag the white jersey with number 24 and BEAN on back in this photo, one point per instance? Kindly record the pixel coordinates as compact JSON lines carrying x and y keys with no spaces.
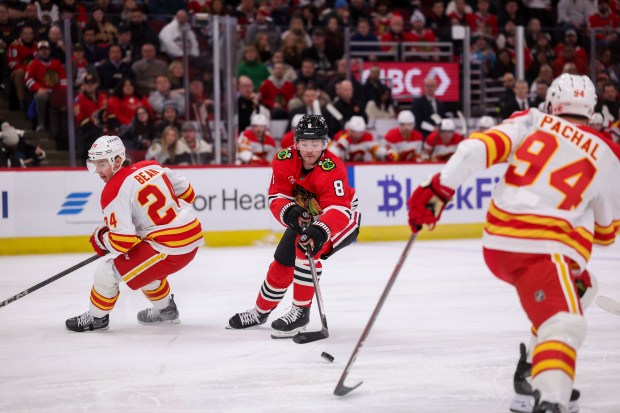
{"x":148,"y":202}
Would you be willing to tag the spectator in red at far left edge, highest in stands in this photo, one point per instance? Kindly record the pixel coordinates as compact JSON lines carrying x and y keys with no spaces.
{"x":20,"y":53}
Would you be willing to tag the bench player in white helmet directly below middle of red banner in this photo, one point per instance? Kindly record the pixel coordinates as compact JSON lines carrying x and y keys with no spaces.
{"x":404,"y":139}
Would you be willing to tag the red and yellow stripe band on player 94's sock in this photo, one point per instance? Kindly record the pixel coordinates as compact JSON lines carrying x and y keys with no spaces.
{"x":554,"y":355}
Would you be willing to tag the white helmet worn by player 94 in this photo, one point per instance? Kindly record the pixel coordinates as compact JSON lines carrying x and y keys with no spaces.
{"x":571,"y":95}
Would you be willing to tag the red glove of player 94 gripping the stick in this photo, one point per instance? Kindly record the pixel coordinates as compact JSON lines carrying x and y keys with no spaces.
{"x":427,"y":203}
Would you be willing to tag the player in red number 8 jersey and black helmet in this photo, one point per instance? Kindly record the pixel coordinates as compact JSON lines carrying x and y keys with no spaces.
{"x":310,"y":195}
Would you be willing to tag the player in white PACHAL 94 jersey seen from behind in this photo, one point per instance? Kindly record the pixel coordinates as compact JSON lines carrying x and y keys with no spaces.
{"x":552,"y":204}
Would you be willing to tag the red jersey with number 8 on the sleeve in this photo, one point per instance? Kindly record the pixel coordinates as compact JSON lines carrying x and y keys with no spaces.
{"x":326,"y":185}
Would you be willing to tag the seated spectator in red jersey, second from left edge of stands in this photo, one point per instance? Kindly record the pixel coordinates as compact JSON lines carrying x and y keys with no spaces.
{"x":46,"y":78}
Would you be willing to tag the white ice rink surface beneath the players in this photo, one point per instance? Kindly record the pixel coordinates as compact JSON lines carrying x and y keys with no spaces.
{"x":446,"y":340}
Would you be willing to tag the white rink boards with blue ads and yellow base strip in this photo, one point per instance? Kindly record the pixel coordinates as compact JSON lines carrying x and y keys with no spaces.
{"x":55,"y":210}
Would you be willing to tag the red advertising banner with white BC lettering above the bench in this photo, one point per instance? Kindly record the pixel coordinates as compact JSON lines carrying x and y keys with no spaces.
{"x":407,"y":78}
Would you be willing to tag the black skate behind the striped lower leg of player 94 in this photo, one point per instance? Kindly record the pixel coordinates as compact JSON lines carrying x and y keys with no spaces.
{"x":524,"y":400}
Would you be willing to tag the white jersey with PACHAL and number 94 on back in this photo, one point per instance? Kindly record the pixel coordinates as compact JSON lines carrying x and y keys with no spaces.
{"x":558,"y":193}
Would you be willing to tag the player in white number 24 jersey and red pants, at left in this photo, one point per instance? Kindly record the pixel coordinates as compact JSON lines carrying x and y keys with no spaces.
{"x":150,"y":232}
